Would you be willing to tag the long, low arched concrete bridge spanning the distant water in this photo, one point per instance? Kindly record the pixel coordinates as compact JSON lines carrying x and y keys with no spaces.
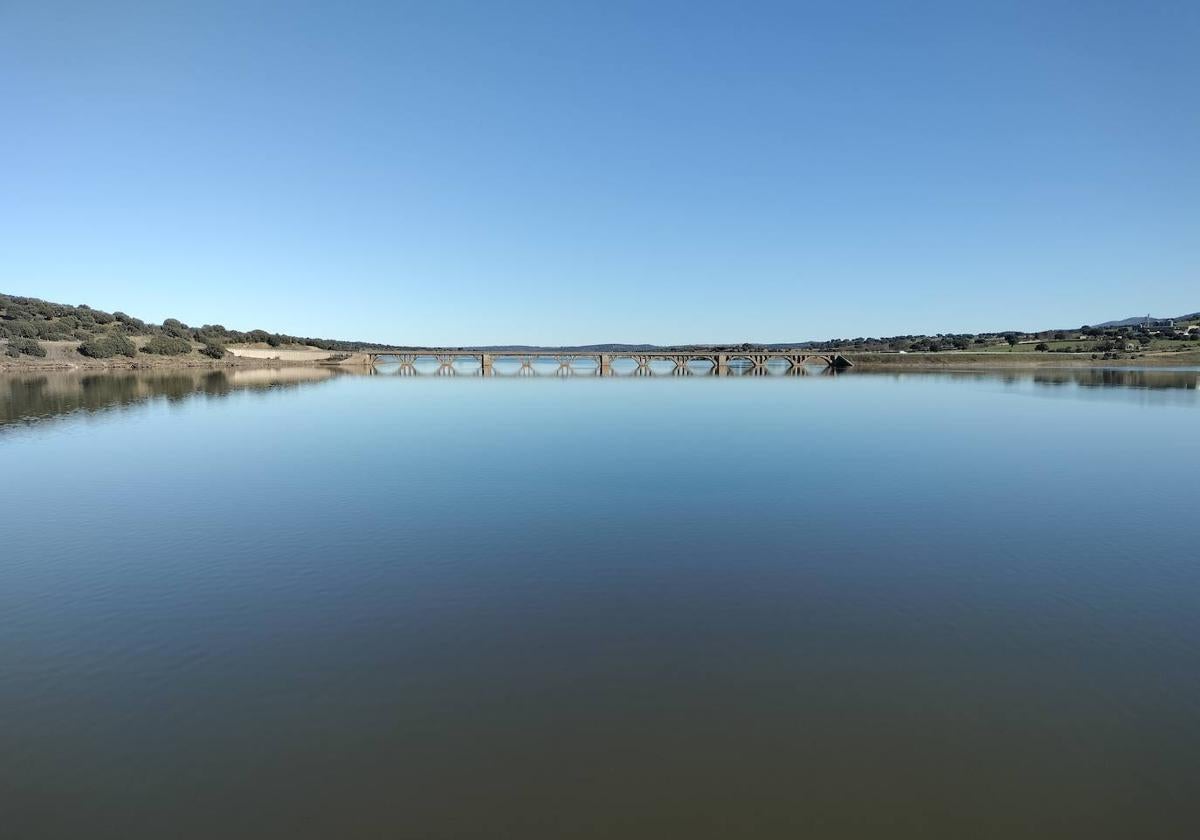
{"x":584,"y":363}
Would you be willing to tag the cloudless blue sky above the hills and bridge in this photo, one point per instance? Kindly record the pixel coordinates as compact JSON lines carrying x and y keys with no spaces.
{"x":584,"y":172}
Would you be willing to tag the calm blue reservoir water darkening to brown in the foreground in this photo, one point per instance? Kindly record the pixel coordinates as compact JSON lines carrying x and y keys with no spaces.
{"x":309,"y":607}
